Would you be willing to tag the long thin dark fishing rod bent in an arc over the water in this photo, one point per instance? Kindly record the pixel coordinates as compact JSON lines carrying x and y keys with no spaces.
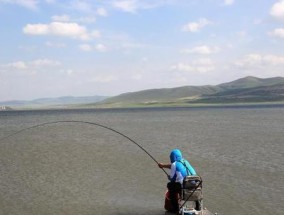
{"x":85,"y":122}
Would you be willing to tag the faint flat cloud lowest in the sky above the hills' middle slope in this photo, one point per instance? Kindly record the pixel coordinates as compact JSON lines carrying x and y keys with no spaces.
{"x":203,"y":65}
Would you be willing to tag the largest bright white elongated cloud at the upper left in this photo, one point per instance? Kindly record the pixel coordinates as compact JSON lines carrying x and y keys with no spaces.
{"x":63,"y":29}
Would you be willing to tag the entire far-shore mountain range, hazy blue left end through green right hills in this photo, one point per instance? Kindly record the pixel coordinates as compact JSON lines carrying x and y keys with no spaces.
{"x":244,"y":90}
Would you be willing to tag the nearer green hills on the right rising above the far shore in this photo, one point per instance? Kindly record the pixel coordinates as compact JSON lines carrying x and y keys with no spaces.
{"x":248,"y":89}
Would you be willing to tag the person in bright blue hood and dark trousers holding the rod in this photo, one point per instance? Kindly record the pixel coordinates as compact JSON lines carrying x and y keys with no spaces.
{"x":180,"y":168}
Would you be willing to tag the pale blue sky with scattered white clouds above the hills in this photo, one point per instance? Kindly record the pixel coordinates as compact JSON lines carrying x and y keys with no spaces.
{"x":53,"y":48}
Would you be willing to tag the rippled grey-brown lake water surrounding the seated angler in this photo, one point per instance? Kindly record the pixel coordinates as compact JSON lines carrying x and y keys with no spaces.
{"x":77,"y":168}
